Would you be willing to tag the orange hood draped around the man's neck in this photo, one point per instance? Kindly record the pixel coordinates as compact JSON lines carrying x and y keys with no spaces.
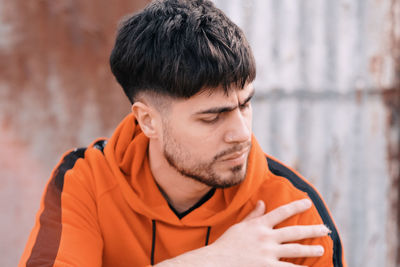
{"x":127,"y":154}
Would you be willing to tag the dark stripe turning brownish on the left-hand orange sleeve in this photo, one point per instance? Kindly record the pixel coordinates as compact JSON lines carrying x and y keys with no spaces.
{"x":47,"y":242}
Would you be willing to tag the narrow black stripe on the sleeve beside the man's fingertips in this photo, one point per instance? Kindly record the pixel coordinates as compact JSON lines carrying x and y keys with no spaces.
{"x":280,"y":170}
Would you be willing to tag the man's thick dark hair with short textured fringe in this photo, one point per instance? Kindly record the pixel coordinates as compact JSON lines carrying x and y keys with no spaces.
{"x":180,"y":47}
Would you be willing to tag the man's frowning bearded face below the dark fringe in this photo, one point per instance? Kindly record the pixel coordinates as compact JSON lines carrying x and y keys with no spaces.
{"x":208,"y":136}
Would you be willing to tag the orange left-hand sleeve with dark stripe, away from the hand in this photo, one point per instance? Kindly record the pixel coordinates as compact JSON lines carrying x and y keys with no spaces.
{"x":66,"y":231}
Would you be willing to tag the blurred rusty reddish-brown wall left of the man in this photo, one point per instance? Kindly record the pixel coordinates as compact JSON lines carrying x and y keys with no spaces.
{"x":56,"y":93}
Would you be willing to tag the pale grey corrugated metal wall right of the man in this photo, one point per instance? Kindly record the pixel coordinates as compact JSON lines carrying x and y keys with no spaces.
{"x":328,"y":103}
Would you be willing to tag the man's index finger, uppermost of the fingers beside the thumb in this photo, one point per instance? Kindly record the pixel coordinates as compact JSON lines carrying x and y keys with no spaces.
{"x":280,"y":214}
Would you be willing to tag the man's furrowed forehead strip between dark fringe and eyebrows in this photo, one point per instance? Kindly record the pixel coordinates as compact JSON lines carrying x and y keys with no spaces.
{"x":214,"y":98}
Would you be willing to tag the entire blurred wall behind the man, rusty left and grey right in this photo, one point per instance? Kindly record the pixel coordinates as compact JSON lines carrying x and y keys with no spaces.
{"x":327,"y":103}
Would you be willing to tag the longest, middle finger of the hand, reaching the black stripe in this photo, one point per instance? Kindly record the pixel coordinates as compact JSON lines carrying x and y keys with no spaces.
{"x":299,"y":232}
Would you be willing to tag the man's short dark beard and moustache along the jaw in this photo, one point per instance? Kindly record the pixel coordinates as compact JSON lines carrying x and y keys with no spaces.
{"x":205,"y":172}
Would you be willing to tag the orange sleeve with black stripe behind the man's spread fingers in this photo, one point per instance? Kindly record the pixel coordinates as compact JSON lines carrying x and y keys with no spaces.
{"x":318,"y":214}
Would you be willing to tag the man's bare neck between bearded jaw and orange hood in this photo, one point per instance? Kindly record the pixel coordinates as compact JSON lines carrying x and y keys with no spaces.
{"x":180,"y":191}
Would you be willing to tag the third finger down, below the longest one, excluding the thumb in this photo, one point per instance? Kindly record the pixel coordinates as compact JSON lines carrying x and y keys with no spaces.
{"x":300,"y":251}
